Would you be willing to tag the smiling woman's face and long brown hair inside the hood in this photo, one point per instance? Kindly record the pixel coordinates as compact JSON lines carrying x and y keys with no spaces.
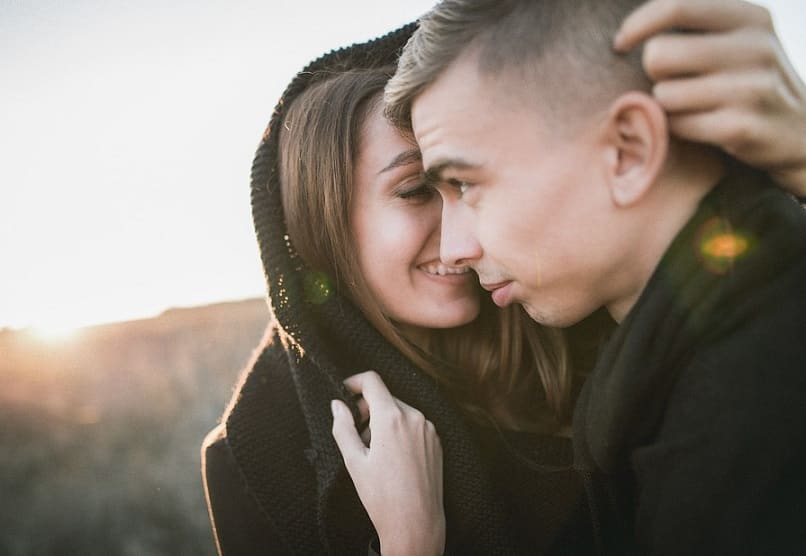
{"x":381,"y":246}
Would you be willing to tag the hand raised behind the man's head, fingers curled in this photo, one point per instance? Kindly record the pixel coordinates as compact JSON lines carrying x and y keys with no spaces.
{"x":729,"y":83}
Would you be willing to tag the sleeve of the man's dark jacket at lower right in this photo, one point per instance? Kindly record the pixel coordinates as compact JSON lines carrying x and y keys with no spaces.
{"x":727,"y":472}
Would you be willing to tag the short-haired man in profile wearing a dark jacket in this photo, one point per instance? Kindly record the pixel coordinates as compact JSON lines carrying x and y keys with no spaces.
{"x":562,"y":188}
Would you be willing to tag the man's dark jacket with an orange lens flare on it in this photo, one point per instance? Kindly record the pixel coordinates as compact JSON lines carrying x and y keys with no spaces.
{"x":692,"y":427}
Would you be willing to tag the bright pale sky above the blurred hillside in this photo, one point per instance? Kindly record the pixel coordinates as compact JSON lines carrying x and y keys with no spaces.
{"x":127,"y":131}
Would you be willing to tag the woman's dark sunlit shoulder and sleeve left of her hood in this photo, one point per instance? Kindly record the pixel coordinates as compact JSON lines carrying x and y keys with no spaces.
{"x":258,"y":475}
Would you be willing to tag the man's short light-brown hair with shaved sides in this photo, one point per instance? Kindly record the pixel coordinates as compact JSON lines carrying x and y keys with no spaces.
{"x":564,"y":47}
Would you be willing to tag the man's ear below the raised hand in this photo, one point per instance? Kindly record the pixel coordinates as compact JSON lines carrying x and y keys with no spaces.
{"x":637,"y":142}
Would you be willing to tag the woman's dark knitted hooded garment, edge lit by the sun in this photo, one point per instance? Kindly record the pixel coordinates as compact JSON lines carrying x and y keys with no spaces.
{"x":274,"y":477}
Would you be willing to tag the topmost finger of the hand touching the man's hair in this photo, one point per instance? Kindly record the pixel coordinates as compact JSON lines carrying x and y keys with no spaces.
{"x":656,"y":16}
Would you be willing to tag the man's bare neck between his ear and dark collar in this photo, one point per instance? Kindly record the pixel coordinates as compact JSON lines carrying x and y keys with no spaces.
{"x":692,"y":171}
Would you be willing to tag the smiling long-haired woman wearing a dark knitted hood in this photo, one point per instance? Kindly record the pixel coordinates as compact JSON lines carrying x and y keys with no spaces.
{"x":361,"y":227}
